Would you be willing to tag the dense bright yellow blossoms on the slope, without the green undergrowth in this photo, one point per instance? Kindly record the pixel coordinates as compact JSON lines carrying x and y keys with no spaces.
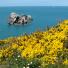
{"x":44,"y":45}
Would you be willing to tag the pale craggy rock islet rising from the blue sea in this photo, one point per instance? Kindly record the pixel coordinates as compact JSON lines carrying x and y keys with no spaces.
{"x":19,"y":19}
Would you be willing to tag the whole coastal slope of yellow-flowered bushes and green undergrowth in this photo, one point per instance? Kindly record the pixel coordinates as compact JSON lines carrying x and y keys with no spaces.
{"x":37,"y":50}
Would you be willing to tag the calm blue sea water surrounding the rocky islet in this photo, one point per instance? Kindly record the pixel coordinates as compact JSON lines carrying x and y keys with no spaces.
{"x":42,"y":16}
